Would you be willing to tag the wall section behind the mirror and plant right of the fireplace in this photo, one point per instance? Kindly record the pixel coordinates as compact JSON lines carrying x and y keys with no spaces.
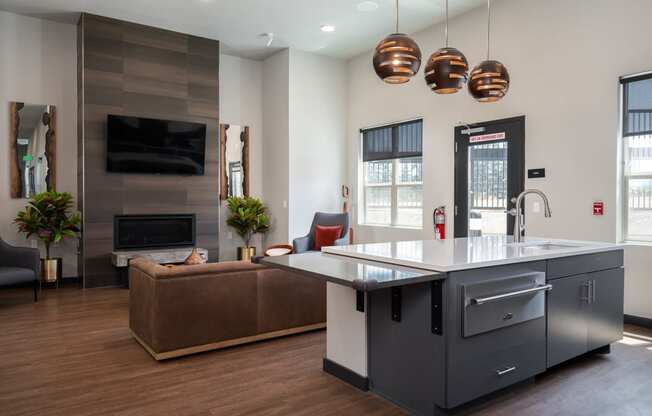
{"x":241,"y":103}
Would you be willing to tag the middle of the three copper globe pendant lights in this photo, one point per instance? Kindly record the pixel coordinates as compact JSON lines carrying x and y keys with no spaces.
{"x":447,"y":68}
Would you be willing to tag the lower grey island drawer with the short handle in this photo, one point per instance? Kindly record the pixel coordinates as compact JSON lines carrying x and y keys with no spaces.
{"x":470,"y":379}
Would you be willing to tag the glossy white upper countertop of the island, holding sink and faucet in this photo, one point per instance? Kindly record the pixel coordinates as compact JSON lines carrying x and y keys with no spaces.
{"x":469,"y":253}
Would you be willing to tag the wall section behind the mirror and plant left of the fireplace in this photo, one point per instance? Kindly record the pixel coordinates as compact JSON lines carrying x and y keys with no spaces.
{"x":38,"y":65}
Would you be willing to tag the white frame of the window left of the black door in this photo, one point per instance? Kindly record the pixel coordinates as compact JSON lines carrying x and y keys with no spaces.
{"x":394,"y":185}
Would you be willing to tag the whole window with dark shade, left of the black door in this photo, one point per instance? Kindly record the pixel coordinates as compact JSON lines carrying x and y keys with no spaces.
{"x":393,"y":175}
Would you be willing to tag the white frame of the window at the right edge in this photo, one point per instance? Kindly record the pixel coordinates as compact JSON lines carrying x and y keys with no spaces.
{"x":625,"y":175}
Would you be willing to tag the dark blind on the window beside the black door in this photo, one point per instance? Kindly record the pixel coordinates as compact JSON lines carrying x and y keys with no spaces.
{"x":393,"y":141}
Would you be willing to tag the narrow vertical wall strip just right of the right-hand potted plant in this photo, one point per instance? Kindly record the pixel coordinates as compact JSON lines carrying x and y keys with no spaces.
{"x":276,"y":74}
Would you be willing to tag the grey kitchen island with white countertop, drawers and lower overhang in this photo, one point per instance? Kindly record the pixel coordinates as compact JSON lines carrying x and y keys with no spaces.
{"x":434,"y":325}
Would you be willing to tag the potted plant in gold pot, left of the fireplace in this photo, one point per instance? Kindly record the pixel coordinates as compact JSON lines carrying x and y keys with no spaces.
{"x":47,"y":217}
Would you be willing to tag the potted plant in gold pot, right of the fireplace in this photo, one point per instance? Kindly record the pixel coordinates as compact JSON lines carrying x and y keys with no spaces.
{"x":248,"y":216}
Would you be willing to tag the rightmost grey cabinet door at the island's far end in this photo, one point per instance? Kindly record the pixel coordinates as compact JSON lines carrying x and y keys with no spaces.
{"x":606,"y":315}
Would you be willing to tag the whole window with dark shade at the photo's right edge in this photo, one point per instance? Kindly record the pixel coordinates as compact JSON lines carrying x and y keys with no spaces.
{"x":637,"y":155}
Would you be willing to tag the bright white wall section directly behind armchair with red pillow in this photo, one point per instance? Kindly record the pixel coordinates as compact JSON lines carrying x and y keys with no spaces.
{"x":318,"y":91}
